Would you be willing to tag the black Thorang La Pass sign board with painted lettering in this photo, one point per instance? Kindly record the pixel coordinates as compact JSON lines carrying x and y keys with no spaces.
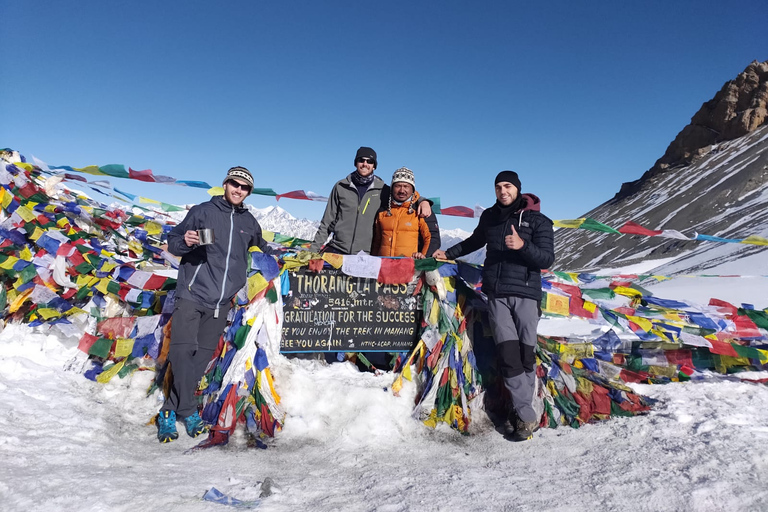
{"x":334,"y":312}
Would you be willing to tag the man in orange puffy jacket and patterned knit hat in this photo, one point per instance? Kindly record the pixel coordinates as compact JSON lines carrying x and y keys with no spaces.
{"x":397,"y":229}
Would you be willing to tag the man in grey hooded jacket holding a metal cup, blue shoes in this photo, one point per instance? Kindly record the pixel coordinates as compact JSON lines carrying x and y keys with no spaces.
{"x":209,"y":277}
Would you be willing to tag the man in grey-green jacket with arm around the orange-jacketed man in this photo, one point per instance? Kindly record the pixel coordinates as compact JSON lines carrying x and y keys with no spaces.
{"x":352,"y":208}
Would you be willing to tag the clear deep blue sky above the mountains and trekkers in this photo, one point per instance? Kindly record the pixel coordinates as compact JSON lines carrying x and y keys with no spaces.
{"x":577,"y":97}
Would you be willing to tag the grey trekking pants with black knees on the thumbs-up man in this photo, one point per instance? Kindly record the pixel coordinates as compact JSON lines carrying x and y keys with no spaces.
{"x":514,"y":321}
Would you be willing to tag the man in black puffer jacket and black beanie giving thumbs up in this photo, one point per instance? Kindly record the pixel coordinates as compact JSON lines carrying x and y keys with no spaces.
{"x":520,"y":243}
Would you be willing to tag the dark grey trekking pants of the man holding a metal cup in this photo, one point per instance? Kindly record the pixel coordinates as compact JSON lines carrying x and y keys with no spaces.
{"x":194,"y":336}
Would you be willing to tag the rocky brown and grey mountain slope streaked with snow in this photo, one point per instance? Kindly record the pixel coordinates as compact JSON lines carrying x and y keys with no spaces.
{"x":713,"y":179}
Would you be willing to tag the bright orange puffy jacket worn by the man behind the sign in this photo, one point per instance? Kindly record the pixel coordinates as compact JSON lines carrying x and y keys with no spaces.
{"x":398,"y":234}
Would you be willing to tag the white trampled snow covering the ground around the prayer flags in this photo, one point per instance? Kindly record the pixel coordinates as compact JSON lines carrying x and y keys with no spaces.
{"x":348,"y":444}
